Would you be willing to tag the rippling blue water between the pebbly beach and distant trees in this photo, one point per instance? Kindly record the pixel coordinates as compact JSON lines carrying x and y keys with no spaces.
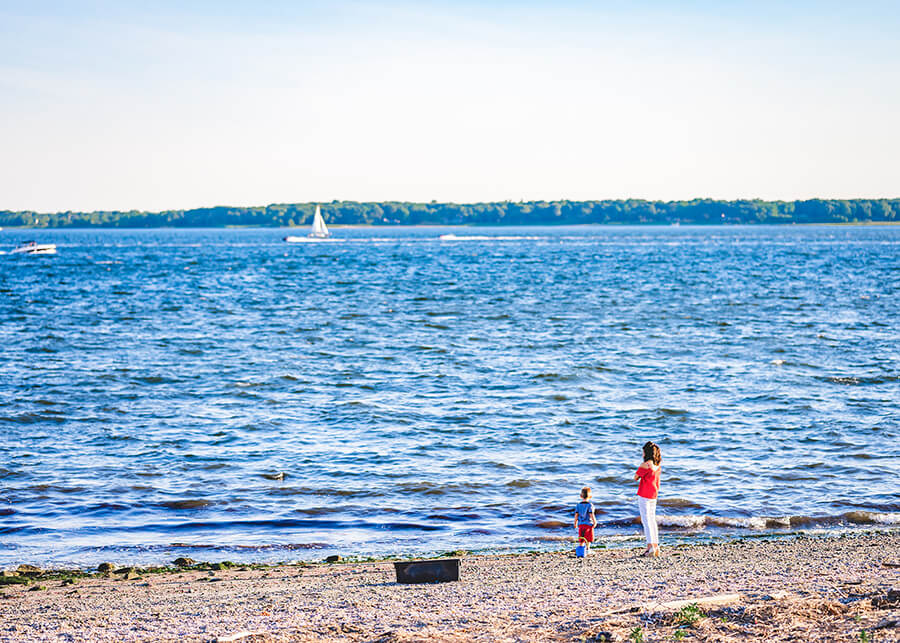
{"x":225,"y":395}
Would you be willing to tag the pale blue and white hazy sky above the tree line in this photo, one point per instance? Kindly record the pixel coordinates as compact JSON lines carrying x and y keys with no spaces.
{"x":167,"y":105}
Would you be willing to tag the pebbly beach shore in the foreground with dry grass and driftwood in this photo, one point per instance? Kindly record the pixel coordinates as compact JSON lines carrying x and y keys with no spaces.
{"x":802,"y":588}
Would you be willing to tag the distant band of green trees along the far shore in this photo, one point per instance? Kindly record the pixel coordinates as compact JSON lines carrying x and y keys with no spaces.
{"x":629,"y":211}
